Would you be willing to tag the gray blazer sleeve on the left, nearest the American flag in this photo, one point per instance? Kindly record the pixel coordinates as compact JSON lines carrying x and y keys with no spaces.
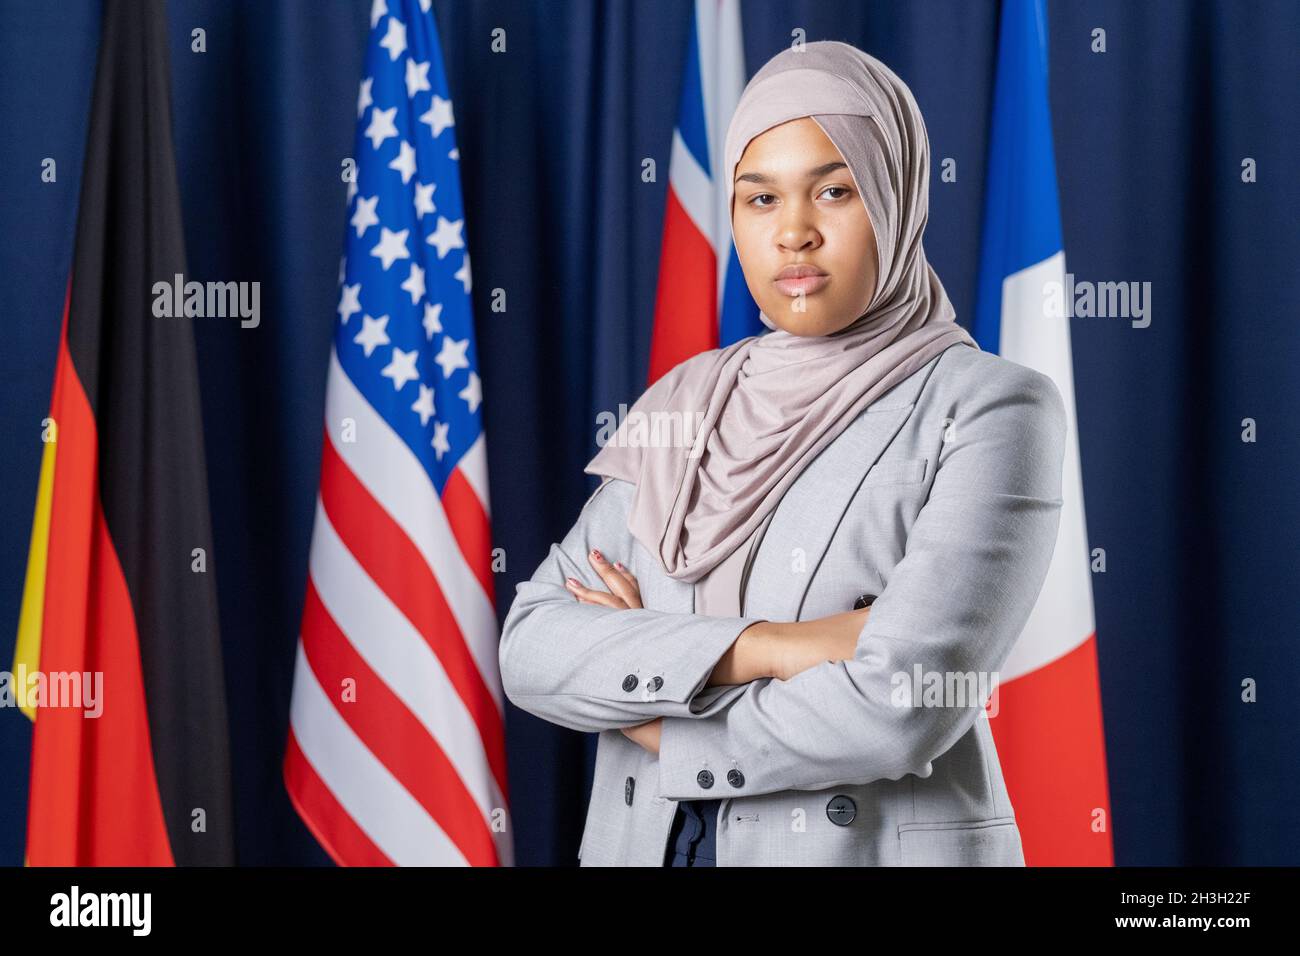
{"x":593,"y":669}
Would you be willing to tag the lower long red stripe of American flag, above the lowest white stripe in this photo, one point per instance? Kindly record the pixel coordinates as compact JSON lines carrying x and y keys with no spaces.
{"x":393,"y":734}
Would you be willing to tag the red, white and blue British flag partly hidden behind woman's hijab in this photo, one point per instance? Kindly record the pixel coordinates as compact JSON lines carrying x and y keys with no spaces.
{"x":703,"y":301}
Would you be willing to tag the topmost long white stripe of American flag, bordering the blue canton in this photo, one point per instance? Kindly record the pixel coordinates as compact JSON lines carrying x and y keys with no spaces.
{"x":388,"y":470}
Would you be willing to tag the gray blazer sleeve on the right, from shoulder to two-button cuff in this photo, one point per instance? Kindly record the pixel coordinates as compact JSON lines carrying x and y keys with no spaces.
{"x":956,"y":603}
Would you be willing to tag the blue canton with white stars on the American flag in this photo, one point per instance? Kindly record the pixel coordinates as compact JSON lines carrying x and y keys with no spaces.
{"x":406,"y":330}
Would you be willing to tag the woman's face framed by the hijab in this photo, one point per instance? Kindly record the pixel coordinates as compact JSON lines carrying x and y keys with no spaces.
{"x":796,"y":205}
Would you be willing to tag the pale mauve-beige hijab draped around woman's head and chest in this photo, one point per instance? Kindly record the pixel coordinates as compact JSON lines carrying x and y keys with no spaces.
{"x":768,"y":405}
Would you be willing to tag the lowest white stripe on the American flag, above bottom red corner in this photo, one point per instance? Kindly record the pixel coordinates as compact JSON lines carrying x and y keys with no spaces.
{"x":376,"y":801}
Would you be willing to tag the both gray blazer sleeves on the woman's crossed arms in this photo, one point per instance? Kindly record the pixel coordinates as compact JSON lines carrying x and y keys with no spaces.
{"x":973,"y":566}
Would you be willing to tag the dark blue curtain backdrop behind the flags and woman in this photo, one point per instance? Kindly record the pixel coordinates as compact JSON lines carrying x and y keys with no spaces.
{"x":1201,"y":530}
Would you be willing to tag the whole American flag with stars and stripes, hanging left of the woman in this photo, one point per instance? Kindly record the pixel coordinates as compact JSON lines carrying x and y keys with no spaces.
{"x":396,"y":749}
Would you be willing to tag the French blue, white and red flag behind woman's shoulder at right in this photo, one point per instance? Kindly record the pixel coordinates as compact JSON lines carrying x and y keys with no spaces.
{"x":1048,"y":728}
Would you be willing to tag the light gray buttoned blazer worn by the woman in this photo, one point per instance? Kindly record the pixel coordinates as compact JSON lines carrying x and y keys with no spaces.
{"x":943,"y":499}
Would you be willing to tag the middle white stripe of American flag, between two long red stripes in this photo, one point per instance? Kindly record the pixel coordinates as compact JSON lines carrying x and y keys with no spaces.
{"x":401,"y":657}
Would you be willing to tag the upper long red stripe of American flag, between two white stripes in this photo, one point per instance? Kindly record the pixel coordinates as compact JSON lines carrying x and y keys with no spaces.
{"x":398,"y":569}
